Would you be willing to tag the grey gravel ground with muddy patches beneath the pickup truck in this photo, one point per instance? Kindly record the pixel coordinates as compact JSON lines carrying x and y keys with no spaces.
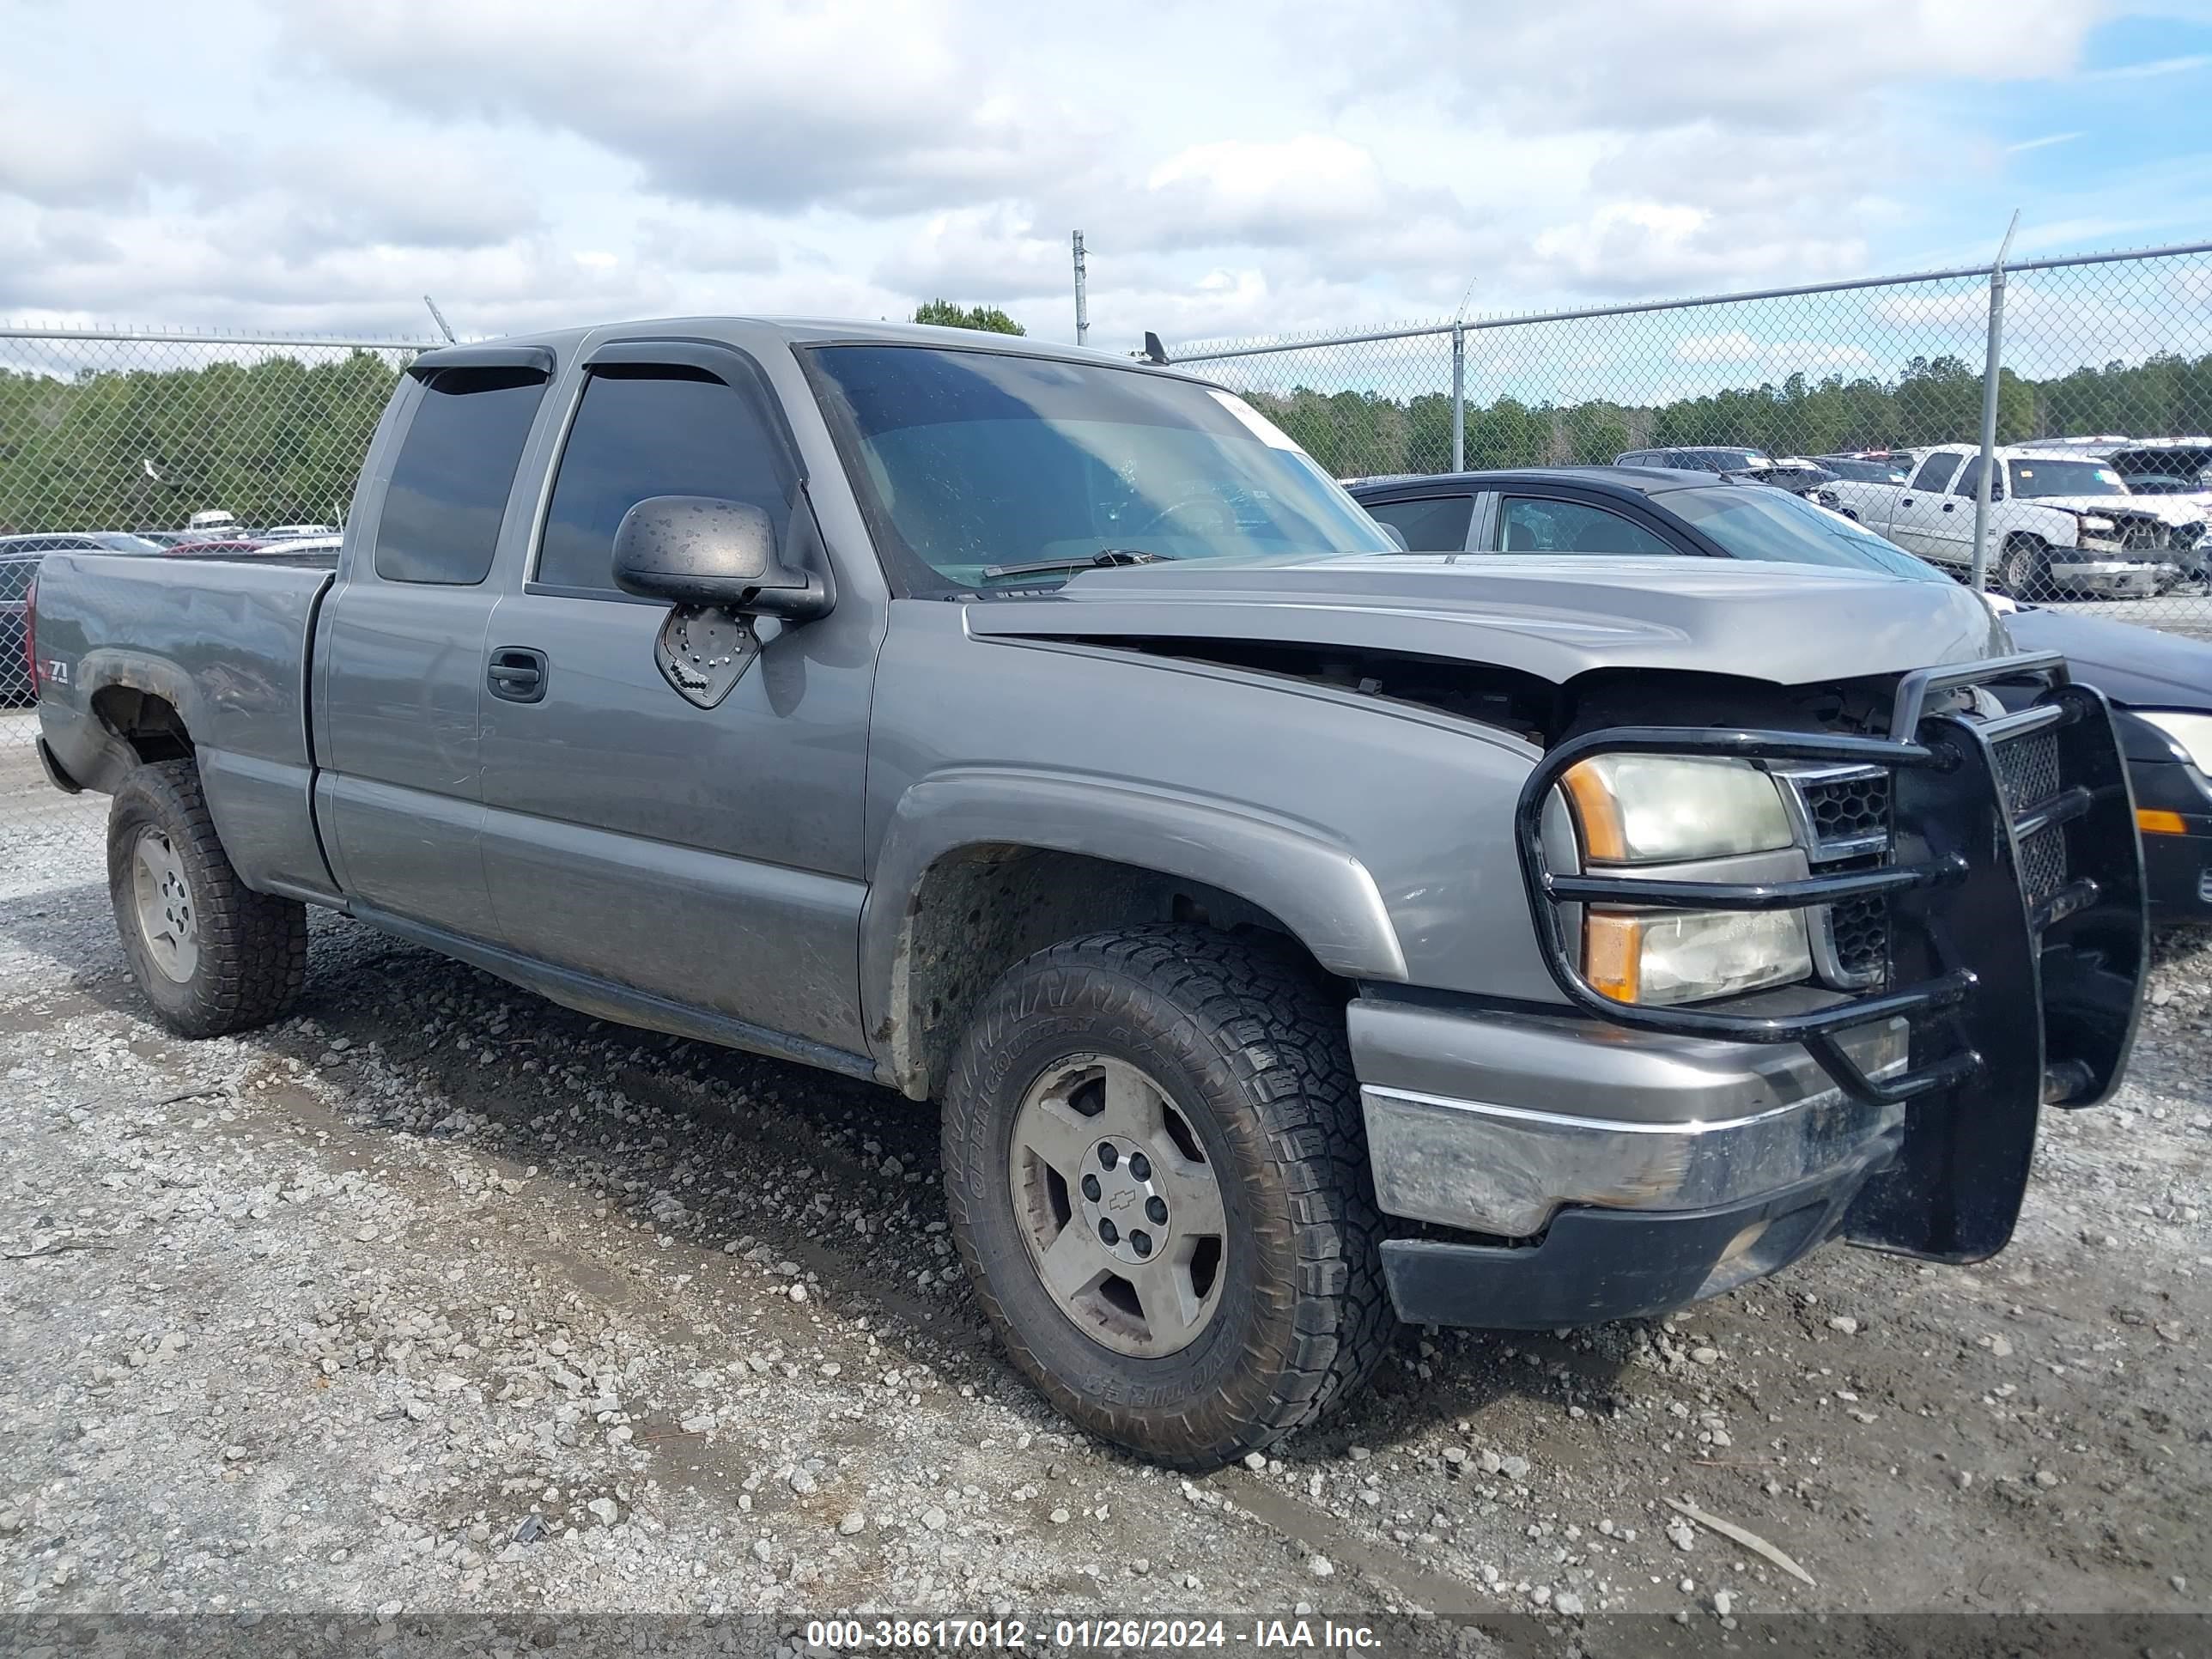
{"x":444,"y":1297}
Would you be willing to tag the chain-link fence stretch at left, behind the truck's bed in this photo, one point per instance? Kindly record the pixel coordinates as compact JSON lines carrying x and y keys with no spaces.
{"x":136,"y":441}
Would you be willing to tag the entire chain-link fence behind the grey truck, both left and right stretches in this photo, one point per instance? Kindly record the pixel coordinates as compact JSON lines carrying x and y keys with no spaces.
{"x":2103,"y":366}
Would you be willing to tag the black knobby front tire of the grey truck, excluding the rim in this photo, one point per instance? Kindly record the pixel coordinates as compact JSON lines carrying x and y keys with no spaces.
{"x":1251,"y":1050}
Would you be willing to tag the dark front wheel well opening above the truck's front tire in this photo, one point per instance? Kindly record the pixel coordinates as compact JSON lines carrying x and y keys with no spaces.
{"x":979,"y":910}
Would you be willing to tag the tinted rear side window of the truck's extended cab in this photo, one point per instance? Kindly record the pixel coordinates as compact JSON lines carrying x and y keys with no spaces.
{"x":450,"y":483}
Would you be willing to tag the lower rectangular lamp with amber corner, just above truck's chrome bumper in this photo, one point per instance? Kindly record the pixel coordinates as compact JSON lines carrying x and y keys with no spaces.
{"x":1691,"y":954}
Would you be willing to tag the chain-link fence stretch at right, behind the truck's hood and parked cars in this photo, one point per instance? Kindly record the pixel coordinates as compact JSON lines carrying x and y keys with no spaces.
{"x":2098,"y":375}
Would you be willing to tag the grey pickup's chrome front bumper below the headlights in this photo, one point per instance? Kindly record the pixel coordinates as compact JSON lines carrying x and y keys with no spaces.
{"x":1499,"y":1123}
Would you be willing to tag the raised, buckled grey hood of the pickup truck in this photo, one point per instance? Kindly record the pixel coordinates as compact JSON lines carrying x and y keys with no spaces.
{"x":1554,"y":618}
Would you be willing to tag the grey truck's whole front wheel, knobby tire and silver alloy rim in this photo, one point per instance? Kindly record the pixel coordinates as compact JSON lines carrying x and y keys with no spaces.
{"x":1158,"y":1180}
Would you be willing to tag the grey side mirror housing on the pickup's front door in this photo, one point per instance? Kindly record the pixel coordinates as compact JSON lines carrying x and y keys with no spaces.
{"x":707,"y":552}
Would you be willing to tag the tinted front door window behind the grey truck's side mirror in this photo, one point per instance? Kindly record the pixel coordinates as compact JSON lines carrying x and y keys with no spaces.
{"x":651,"y":430}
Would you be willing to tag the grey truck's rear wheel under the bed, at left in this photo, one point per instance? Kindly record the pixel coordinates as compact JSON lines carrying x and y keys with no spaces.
{"x":209,"y":952}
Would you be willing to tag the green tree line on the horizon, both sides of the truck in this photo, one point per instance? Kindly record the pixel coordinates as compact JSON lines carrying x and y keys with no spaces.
{"x":280,"y":441}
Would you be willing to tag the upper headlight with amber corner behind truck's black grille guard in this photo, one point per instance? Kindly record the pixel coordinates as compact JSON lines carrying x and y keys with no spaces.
{"x":1660,"y":808}
